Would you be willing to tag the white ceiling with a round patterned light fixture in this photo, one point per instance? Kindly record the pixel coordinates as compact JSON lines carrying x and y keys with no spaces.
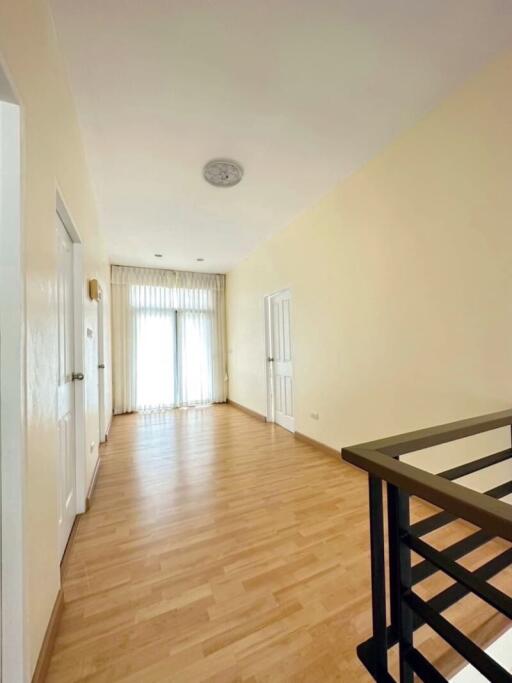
{"x":300,"y":92}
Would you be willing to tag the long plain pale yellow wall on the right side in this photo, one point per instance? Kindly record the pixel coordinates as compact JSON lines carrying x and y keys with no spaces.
{"x":401,"y":281}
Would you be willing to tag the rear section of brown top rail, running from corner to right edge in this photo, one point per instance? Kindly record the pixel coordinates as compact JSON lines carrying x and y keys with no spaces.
{"x":433,"y":436}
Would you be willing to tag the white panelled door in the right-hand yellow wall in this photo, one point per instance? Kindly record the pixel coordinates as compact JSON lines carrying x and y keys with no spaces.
{"x":279,"y":346}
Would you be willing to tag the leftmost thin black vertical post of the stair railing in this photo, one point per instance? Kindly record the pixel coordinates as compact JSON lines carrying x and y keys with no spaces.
{"x":378,"y":575}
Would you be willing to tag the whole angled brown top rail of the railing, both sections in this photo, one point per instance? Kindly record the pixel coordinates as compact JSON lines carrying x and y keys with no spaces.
{"x":379,"y":458}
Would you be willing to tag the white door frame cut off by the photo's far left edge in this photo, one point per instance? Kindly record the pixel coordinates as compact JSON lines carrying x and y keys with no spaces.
{"x":13,"y":413}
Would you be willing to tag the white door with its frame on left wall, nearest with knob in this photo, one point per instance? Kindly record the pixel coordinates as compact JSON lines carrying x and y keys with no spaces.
{"x":70,"y":390}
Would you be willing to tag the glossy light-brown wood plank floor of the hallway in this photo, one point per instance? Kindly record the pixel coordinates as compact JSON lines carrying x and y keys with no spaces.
{"x":219,"y":548}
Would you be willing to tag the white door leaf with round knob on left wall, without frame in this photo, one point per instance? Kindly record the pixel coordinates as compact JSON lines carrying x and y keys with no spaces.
{"x":66,"y":392}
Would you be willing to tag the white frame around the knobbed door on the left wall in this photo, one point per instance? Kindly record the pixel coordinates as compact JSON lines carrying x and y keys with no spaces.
{"x":79,"y":349}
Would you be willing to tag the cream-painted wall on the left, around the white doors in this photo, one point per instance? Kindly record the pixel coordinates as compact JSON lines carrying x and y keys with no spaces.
{"x":52,"y":155}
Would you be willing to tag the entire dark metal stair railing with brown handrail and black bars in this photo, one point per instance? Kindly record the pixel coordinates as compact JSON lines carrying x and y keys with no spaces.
{"x":407,"y":611}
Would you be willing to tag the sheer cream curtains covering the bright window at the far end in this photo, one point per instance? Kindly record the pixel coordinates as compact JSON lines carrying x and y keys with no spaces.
{"x":168,"y":339}
